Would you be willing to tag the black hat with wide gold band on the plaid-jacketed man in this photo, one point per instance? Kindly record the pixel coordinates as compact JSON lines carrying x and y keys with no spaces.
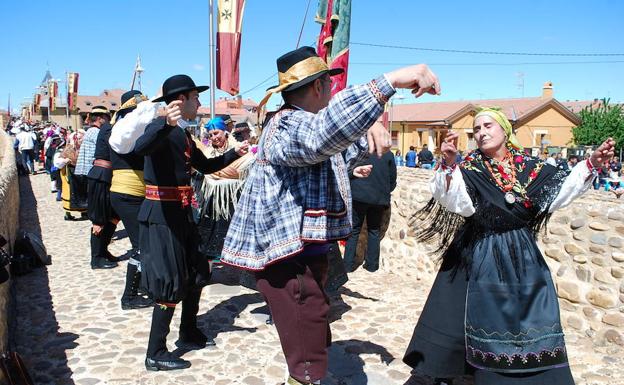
{"x":298,"y":68}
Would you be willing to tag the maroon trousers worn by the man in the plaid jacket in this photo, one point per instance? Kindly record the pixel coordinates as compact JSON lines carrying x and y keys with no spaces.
{"x":293,"y":289}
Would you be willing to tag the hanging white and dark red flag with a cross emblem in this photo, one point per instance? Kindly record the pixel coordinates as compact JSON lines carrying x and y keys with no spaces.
{"x":229,"y":26}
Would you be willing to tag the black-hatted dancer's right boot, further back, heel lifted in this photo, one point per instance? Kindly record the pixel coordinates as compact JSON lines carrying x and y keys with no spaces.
{"x":190,"y":337}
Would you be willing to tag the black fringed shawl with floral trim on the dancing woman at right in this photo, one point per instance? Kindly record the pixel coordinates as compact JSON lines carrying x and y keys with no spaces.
{"x":538,"y":185}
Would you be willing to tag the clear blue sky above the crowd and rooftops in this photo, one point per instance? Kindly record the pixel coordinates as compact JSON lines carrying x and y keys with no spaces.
{"x":101,"y":40}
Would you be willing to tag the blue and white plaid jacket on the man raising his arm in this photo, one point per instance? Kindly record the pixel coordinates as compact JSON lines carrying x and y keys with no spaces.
{"x":298,"y":191}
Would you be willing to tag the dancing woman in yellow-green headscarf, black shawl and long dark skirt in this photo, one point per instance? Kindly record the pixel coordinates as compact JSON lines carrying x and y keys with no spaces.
{"x":493,"y":311}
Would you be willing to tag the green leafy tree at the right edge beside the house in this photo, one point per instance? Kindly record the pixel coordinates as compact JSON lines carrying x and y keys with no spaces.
{"x":599,"y":123}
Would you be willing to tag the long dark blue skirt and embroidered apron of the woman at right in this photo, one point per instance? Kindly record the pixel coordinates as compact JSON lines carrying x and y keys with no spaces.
{"x":502,"y":325}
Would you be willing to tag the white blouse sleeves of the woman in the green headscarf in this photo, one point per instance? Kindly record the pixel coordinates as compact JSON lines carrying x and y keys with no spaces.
{"x":456,"y":198}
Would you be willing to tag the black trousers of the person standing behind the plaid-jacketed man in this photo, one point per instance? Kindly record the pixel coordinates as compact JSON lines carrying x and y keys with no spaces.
{"x":372,"y":214}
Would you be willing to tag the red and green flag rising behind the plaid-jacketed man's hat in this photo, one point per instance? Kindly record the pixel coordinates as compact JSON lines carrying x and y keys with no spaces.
{"x":333,"y":42}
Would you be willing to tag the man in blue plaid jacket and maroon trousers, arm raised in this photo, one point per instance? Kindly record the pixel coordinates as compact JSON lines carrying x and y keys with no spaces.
{"x":297,"y":196}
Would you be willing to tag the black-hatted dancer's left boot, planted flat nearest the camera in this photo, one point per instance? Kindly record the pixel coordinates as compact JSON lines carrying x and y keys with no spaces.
{"x":158,"y":357}
